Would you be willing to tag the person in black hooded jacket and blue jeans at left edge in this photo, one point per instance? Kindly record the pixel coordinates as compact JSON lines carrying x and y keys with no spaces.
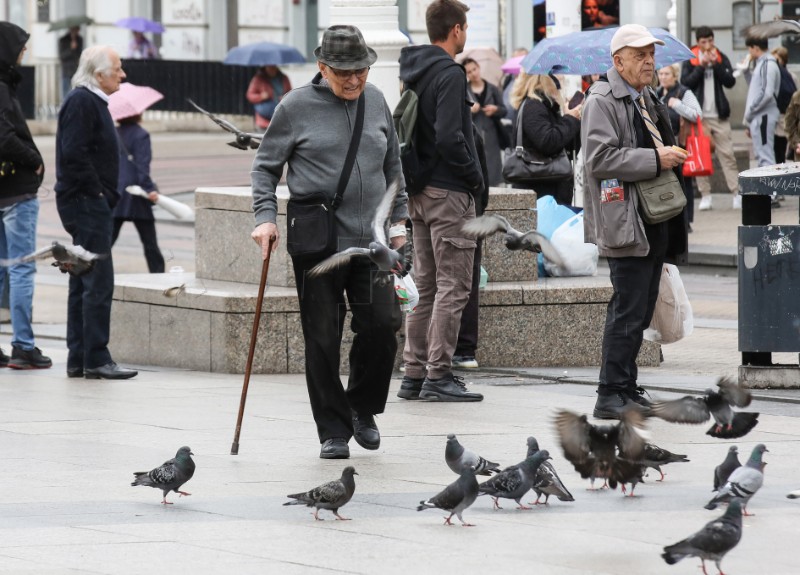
{"x":21,"y":173}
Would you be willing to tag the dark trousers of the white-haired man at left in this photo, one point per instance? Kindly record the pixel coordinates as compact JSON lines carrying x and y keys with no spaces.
{"x":88,"y":220}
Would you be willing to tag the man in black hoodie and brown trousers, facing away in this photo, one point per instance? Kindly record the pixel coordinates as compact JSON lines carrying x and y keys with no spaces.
{"x":443,"y":257}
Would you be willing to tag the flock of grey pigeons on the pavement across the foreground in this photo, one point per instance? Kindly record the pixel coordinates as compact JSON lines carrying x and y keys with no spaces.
{"x":617,"y":453}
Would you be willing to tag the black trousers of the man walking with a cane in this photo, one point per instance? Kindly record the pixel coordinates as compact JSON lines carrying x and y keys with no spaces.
{"x":376,"y":319}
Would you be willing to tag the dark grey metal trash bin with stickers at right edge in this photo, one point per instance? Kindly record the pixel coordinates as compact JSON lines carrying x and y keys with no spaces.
{"x":769,"y":279}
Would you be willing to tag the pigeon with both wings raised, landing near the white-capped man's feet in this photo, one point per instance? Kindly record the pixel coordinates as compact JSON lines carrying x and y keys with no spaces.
{"x":613,"y":452}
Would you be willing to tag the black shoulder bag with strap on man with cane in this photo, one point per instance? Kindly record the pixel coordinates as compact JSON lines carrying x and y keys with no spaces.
{"x":311,"y":220}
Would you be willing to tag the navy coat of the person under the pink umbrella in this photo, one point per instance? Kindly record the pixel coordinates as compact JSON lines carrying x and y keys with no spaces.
{"x":134,"y":169}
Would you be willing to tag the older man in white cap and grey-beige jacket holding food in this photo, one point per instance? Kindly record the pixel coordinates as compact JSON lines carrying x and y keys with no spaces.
{"x":626,"y":137}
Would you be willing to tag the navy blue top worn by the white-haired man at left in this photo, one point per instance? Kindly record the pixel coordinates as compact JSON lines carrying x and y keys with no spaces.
{"x":87,"y":153}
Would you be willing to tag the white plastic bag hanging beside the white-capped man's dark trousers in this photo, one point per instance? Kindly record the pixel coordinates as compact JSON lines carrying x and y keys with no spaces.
{"x":672,"y":319}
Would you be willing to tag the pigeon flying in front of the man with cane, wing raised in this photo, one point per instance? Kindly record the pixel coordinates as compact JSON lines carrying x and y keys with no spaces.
{"x":388,"y":260}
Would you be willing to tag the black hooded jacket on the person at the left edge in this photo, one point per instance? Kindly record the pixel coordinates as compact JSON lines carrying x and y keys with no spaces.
{"x":16,"y":142}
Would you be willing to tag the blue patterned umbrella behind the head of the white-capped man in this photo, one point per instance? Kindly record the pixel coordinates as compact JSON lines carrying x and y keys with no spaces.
{"x":588,"y":52}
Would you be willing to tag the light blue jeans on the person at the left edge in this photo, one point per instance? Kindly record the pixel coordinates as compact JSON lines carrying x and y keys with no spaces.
{"x":17,"y":239}
